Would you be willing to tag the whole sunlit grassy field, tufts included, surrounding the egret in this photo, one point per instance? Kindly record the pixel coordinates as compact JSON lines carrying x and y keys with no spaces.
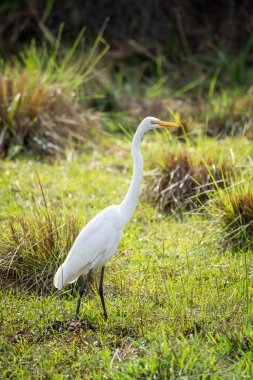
{"x":179,"y":291}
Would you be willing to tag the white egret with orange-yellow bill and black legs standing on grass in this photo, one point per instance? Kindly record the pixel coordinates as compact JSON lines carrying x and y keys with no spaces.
{"x":98,"y":240}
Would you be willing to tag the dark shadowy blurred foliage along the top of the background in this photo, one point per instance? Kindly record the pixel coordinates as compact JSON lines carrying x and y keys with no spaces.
{"x":175,"y":28}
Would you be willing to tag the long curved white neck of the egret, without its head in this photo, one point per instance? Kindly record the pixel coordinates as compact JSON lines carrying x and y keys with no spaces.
{"x":128,"y":205}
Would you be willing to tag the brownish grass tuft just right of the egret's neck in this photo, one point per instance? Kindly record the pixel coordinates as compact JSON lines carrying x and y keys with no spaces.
{"x":183,"y":181}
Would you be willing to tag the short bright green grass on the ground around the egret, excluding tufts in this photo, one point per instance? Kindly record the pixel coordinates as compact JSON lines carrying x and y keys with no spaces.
{"x":178,"y":306}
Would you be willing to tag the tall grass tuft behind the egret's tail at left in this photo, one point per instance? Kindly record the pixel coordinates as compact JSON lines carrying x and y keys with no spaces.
{"x":32,"y":245}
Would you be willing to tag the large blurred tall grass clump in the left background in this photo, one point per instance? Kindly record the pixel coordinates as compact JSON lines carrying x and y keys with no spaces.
{"x":39,"y":98}
